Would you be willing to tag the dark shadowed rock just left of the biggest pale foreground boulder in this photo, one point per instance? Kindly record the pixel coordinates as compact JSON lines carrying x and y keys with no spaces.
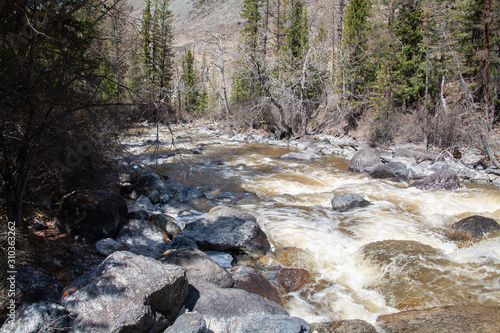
{"x":35,"y":284}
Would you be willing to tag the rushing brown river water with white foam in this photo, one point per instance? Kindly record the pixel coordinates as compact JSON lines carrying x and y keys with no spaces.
{"x":389,"y":256}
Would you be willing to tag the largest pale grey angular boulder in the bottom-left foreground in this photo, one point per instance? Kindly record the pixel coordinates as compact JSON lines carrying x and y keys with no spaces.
{"x":126,"y":293}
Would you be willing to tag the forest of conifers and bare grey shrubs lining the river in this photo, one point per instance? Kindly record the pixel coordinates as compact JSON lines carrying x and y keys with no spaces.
{"x":75,"y":73}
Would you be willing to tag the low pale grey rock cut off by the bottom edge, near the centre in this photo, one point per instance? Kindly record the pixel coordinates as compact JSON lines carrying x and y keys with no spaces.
{"x":269,"y":324}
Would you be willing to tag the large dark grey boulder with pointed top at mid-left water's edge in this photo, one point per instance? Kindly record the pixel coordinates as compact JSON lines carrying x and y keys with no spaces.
{"x":227,"y":233}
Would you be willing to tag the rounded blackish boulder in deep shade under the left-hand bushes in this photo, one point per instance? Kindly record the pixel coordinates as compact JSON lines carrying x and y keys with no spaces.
{"x":91,"y":215}
